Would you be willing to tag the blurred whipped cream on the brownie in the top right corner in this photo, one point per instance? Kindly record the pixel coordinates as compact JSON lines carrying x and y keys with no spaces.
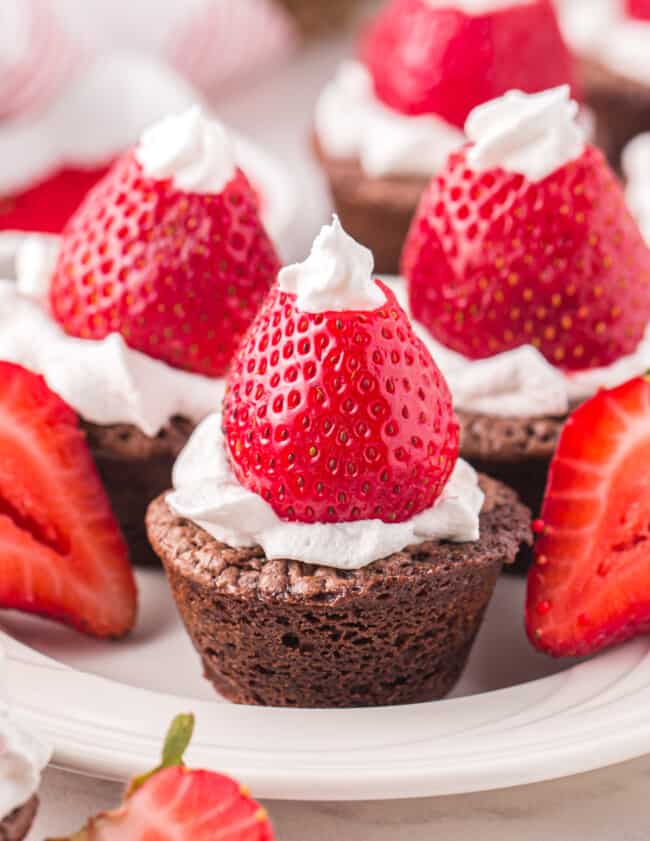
{"x":601,"y":30}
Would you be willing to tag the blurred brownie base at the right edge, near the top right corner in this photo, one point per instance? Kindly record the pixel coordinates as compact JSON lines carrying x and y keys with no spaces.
{"x":620,"y":106}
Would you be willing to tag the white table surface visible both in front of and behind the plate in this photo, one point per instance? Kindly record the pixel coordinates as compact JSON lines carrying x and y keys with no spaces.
{"x":608,"y":805}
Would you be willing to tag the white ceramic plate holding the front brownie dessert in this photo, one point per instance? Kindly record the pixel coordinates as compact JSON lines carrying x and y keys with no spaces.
{"x":515,"y":718}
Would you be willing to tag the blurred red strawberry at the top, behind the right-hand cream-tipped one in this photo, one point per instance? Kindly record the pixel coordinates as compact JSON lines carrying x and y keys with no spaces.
{"x":427,"y":60}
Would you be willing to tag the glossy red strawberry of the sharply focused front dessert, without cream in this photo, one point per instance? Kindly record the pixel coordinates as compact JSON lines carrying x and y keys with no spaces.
{"x":334,"y":417}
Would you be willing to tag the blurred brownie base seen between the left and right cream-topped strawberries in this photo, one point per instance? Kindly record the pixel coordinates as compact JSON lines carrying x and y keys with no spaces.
{"x":377,"y":212}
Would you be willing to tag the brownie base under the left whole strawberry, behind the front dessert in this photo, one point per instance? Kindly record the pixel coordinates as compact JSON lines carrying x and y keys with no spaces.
{"x":135,"y":469}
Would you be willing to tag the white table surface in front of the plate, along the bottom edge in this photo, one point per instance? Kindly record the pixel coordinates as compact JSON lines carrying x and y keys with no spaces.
{"x":607,"y":805}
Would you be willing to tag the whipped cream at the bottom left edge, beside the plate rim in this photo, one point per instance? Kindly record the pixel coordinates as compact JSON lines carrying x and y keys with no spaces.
{"x":22,"y":758}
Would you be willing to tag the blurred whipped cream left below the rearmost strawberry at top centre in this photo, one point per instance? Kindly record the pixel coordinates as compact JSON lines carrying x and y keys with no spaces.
{"x":351,"y":122}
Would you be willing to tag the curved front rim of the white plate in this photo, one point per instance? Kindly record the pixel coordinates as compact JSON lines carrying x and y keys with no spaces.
{"x":84,"y":744}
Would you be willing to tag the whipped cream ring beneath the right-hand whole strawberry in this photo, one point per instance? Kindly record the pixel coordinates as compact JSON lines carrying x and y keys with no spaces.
{"x":522,"y":382}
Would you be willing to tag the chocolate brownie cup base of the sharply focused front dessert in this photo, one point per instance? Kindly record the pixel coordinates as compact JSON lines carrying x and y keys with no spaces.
{"x":287,"y":634}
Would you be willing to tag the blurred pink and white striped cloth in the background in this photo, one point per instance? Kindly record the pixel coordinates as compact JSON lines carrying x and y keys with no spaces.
{"x":213,"y":43}
